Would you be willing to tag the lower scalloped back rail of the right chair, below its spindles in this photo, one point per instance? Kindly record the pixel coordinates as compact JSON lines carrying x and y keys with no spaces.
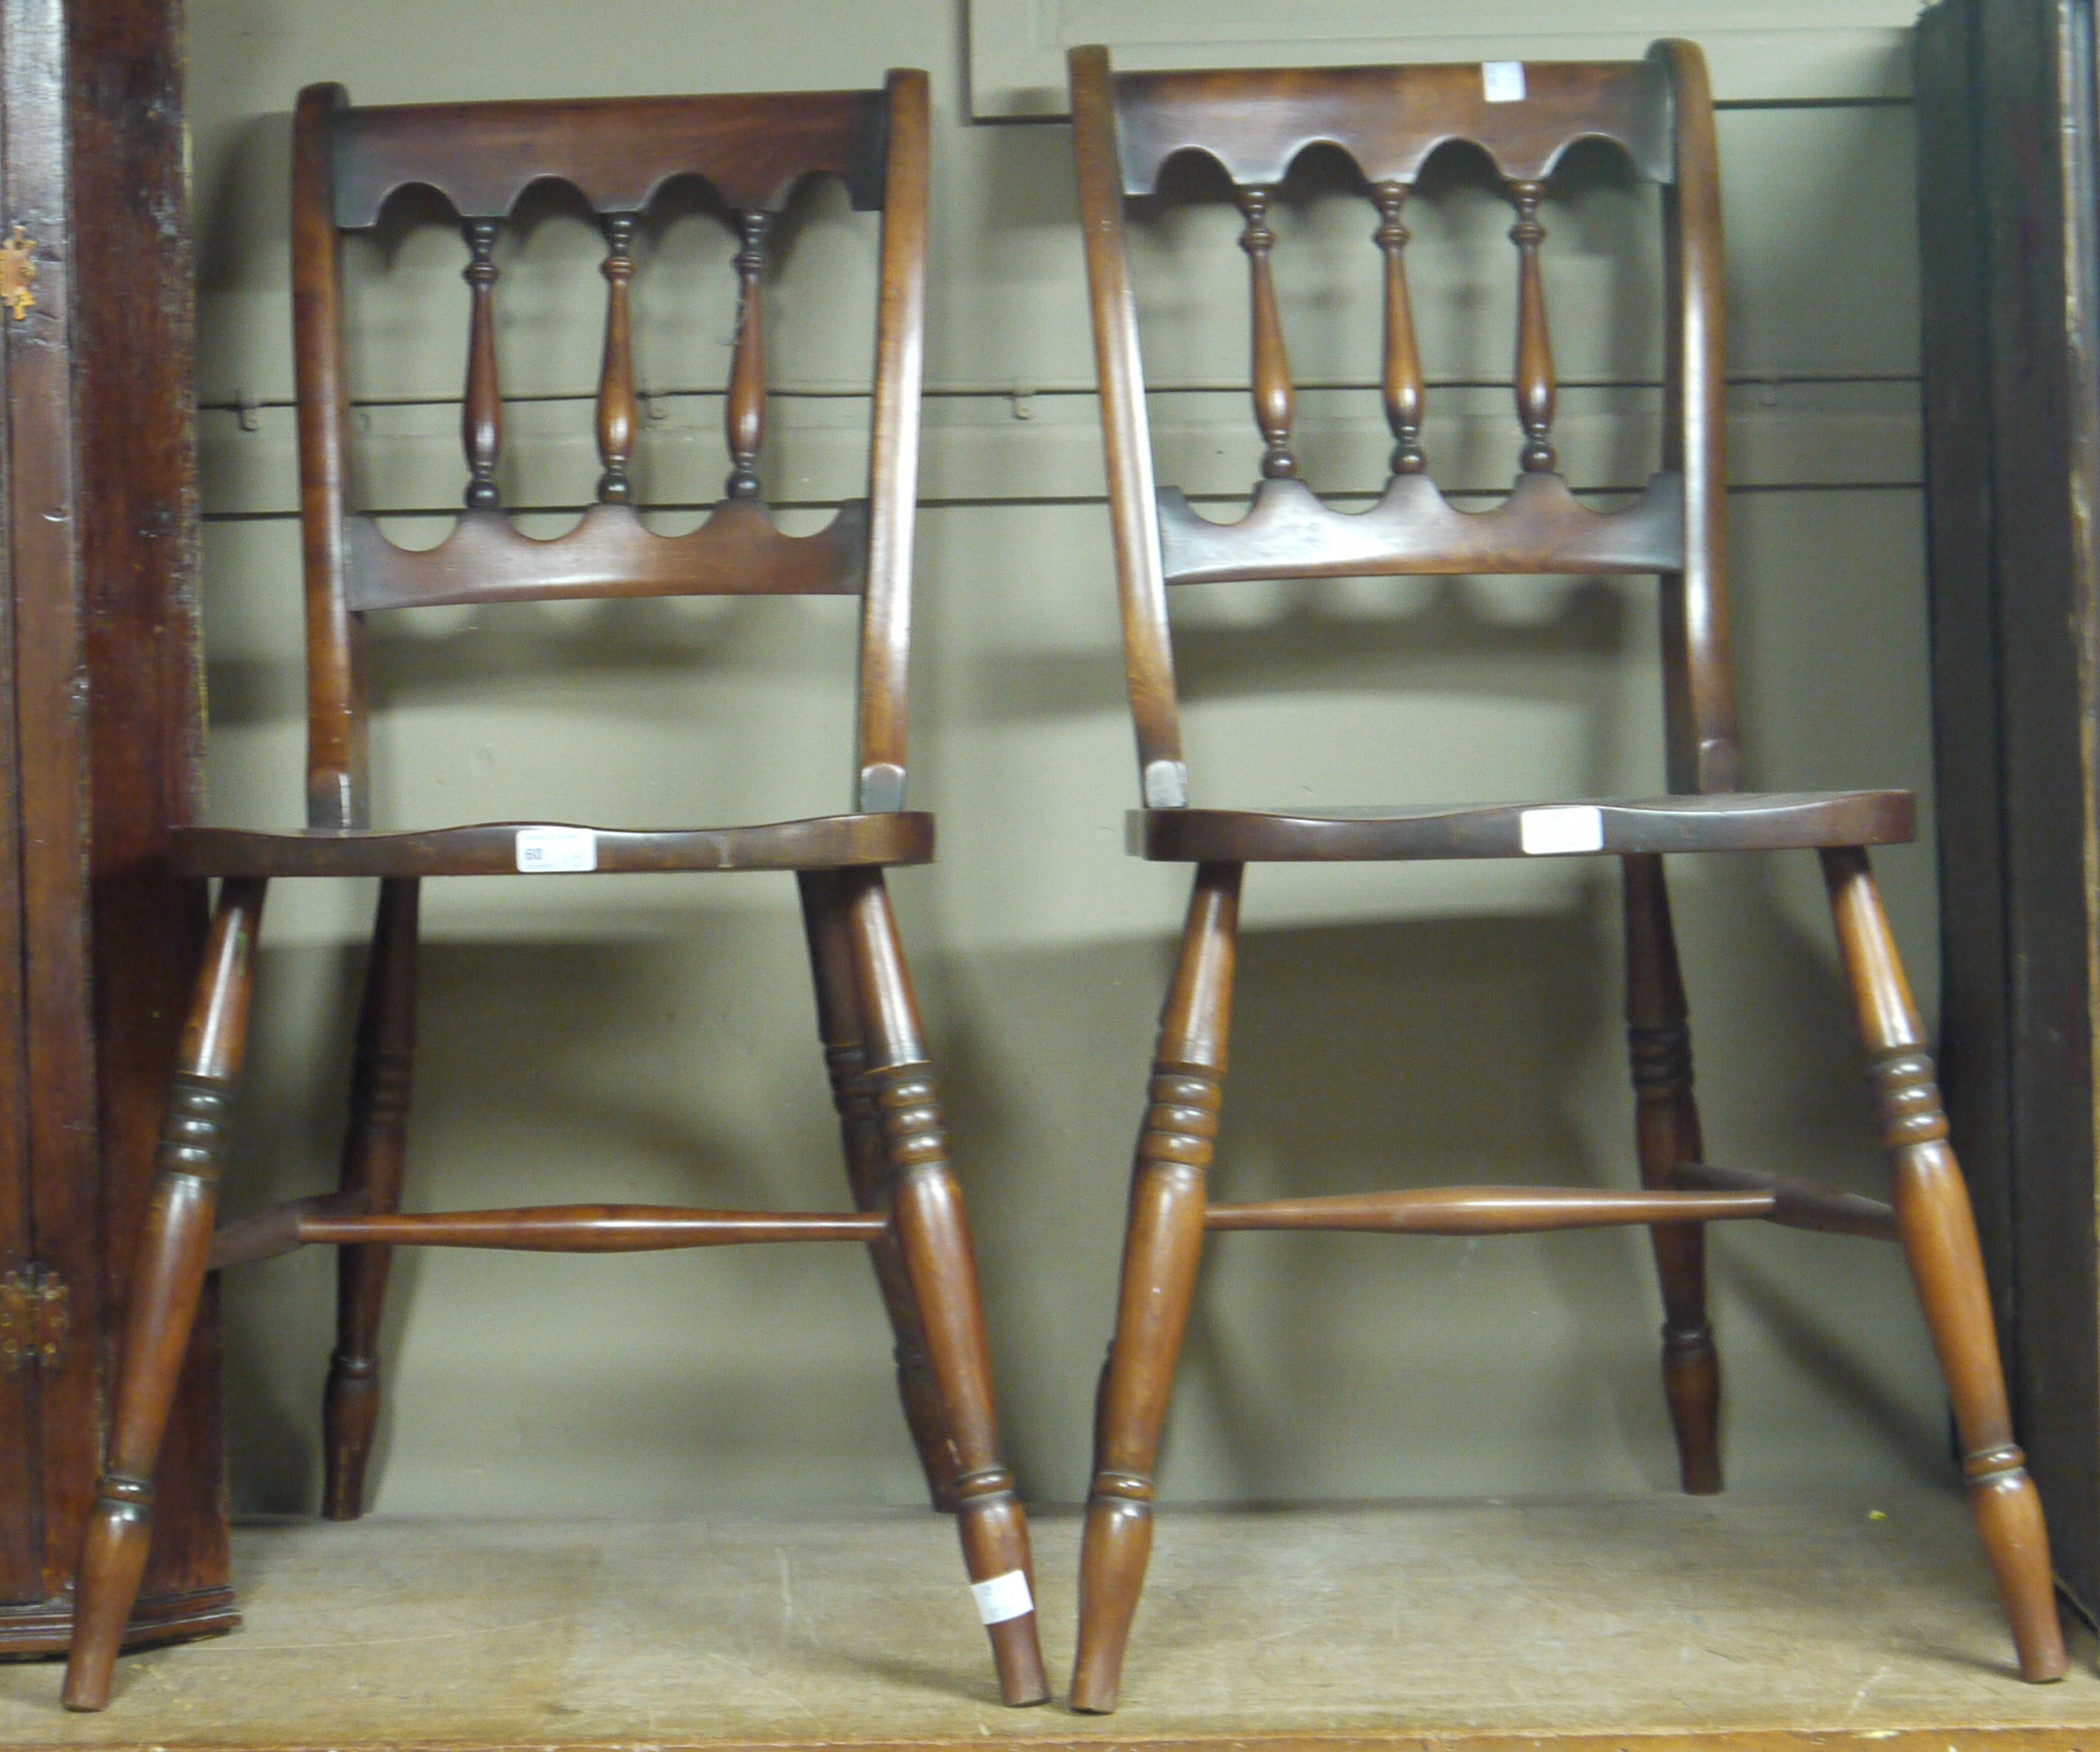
{"x":1540,"y":528}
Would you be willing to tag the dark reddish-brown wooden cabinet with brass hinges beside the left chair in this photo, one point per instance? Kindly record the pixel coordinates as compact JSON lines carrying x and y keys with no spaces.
{"x":100,"y":753}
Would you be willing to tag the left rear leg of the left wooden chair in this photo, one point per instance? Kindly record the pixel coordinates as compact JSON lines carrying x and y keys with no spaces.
{"x":373,"y":1156}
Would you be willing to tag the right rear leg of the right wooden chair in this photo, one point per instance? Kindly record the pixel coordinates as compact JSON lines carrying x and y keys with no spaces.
{"x":1660,"y":1043}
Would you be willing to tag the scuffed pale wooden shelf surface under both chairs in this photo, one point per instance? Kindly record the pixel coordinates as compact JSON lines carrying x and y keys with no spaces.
{"x":1761,"y":1625}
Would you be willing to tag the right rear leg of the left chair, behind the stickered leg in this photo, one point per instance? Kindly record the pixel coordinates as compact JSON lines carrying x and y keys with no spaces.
{"x":868,"y":1171}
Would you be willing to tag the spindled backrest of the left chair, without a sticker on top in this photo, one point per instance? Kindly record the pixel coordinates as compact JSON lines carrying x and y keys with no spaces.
{"x":753,"y":150}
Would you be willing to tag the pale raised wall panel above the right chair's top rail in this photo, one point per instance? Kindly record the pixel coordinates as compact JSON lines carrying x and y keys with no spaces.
{"x":1759,"y":49}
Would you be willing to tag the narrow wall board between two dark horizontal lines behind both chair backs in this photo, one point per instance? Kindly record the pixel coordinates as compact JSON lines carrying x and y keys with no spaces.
{"x":1049,"y":446}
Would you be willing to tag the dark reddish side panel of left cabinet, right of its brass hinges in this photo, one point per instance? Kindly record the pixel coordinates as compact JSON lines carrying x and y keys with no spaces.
{"x":138,"y":507}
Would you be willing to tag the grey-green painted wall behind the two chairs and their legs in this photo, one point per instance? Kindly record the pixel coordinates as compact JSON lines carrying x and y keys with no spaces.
{"x":654,"y":1041}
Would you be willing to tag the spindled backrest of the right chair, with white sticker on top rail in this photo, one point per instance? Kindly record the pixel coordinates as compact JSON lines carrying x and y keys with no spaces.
{"x":1660,"y":114}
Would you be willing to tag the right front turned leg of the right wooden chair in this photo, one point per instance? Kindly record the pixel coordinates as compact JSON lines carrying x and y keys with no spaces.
{"x":1939,"y":1238}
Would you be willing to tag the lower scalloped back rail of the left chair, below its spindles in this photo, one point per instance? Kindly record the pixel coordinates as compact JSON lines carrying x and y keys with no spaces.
{"x":612,"y":554}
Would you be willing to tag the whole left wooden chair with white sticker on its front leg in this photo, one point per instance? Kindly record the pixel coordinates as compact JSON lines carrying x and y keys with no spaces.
{"x":482,"y":157}
